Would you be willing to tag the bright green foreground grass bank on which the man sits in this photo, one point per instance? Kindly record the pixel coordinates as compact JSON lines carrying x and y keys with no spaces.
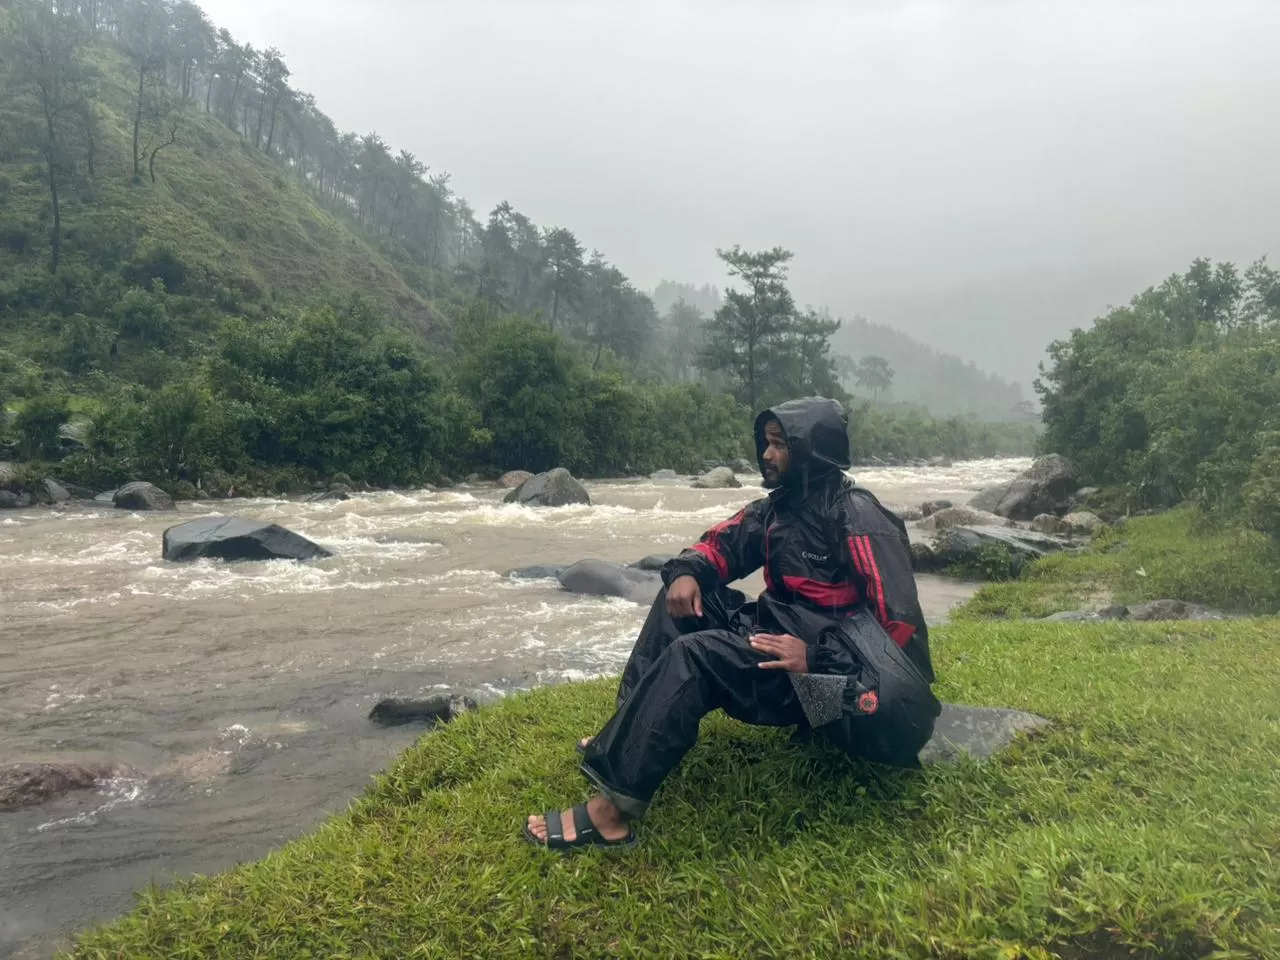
{"x":1146,"y":819}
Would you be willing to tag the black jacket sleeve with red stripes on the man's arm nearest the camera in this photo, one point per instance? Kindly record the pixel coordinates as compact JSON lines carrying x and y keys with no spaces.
{"x":880,"y":560}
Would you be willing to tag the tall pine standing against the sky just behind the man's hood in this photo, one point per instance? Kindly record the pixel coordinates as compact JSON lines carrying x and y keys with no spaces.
{"x":752,"y":319}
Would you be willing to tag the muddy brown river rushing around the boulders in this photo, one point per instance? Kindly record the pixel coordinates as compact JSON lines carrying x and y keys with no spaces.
{"x":234,"y":698}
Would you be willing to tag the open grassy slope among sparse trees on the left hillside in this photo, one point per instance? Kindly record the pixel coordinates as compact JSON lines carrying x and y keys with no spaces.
{"x":223,"y":222}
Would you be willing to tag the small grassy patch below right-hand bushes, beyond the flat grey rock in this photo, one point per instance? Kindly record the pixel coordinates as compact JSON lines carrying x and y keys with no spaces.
{"x":1172,"y":556}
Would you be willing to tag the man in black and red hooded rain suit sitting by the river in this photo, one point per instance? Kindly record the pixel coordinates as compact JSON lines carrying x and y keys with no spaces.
{"x":836,"y":642}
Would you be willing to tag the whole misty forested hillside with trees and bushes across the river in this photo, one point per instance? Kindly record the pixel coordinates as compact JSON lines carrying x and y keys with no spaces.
{"x":228,"y":291}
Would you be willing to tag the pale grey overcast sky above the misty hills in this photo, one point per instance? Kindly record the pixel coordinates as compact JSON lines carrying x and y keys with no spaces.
{"x":985,"y":175}
